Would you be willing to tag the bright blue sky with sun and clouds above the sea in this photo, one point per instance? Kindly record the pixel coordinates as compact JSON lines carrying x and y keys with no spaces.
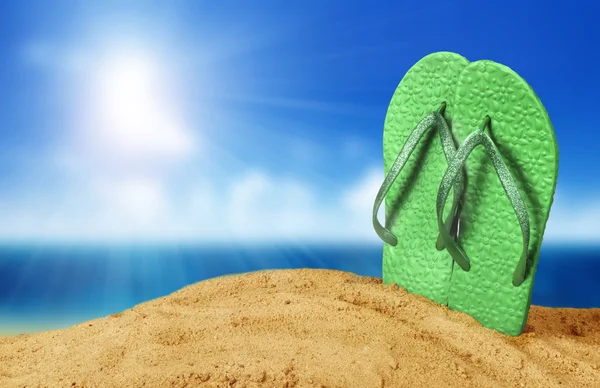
{"x":256,"y":121}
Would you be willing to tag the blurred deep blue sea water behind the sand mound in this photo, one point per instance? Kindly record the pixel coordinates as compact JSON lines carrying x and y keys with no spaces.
{"x":47,"y":287}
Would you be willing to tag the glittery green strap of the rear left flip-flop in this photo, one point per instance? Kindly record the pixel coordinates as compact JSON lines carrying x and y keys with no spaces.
{"x":433,"y":119}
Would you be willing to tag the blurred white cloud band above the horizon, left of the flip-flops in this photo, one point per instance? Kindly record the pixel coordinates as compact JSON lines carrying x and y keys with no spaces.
{"x":255,"y":206}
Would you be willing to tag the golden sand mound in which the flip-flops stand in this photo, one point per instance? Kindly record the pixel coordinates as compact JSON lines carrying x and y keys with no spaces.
{"x":304,"y":328}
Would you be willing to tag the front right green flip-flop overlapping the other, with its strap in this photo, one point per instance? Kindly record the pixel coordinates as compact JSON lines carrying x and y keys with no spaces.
{"x":509,"y":149}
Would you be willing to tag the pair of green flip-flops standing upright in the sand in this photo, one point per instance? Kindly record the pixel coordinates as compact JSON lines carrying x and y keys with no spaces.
{"x":479,"y":131}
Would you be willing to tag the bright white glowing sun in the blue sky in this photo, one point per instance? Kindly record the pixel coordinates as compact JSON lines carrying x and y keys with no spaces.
{"x":134,"y":109}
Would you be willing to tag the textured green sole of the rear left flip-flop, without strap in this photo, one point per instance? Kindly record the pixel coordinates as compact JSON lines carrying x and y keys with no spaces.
{"x":415,"y":263}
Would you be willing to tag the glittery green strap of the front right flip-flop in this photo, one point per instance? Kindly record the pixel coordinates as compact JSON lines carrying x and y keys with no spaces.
{"x":473,"y":140}
